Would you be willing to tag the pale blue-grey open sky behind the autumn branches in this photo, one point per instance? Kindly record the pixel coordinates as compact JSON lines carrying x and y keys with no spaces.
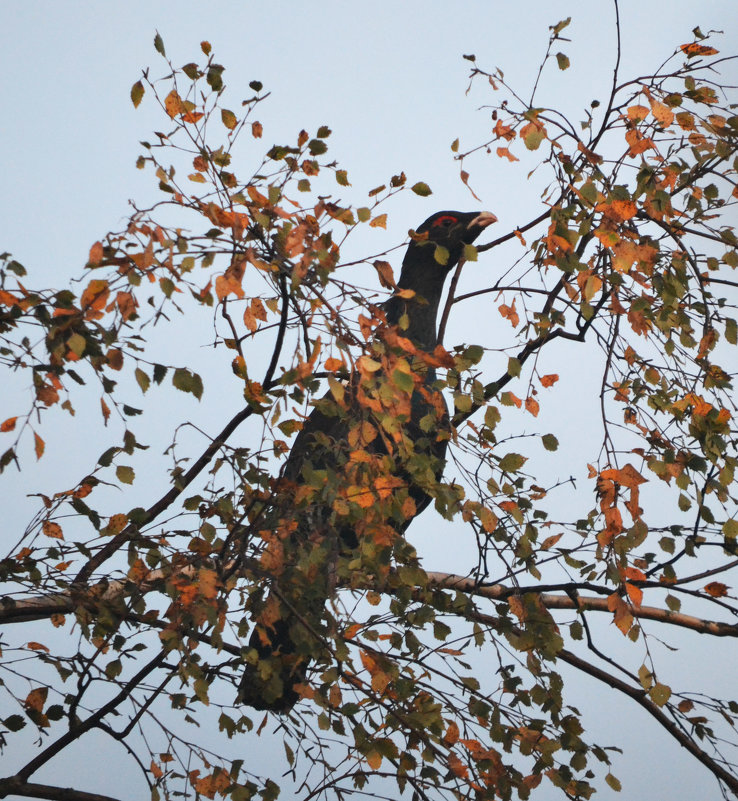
{"x":387,"y":77}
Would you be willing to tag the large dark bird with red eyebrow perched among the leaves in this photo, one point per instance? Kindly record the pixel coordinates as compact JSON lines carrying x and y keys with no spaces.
{"x":402,"y":443}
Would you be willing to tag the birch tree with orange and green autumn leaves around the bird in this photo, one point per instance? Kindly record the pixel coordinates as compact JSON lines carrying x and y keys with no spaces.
{"x":627,"y":262}
